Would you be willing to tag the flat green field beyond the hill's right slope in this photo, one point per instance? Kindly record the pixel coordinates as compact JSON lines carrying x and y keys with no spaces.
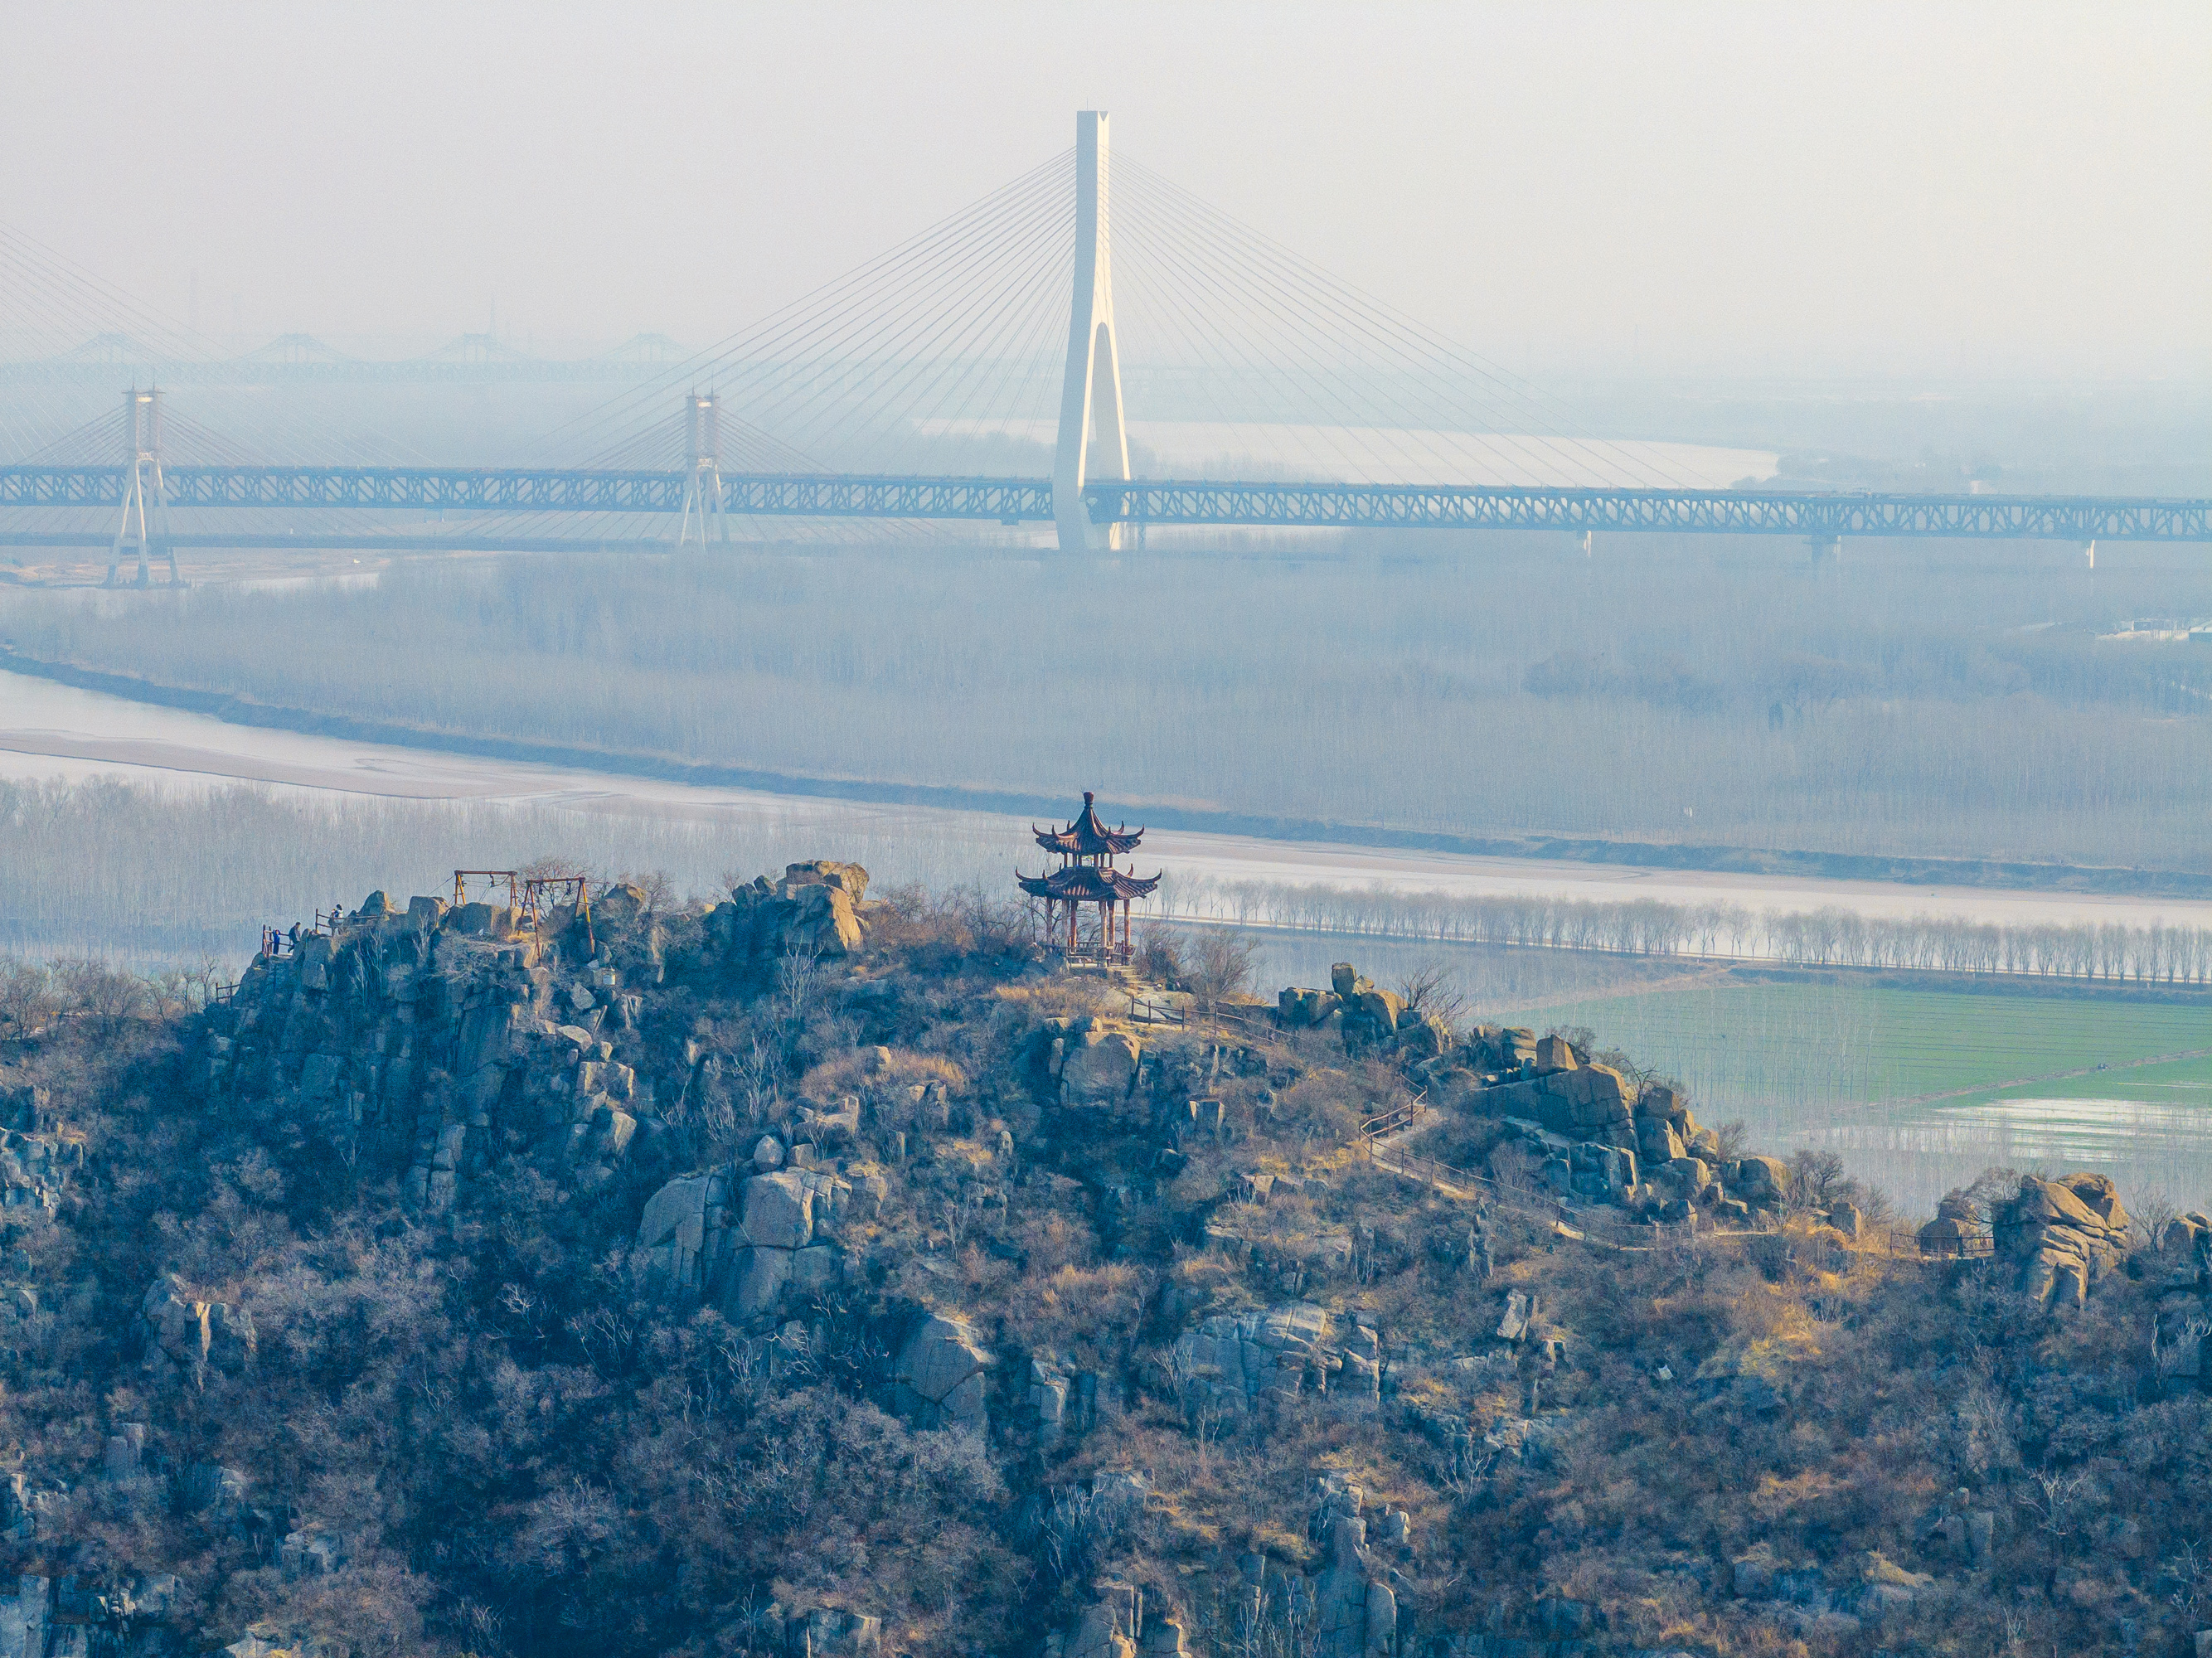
{"x":1923,"y":1089}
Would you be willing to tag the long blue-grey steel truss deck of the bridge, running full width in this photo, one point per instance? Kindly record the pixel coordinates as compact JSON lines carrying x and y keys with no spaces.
{"x":1030,"y":501}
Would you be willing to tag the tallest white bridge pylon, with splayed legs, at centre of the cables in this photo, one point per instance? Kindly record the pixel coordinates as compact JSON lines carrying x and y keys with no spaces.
{"x":1094,"y":443}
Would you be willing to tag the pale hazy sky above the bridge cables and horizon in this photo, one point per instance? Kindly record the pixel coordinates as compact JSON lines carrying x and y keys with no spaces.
{"x":1762,"y":189}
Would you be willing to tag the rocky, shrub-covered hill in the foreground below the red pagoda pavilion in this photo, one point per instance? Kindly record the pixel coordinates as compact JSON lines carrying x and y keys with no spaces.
{"x":833,"y":1274}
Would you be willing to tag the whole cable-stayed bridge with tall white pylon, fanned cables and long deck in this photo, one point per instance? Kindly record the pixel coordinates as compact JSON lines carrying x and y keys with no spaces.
{"x":1003,"y":368}
